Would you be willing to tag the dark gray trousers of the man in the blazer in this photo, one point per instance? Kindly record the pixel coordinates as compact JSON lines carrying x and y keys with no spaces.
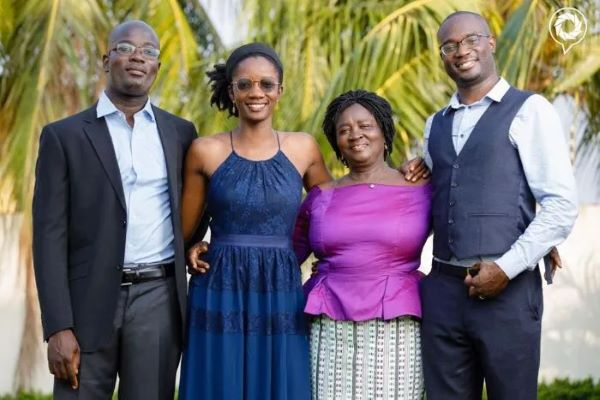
{"x":144,"y":351}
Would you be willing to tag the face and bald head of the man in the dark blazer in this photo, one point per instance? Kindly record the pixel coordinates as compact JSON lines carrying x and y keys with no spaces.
{"x":131,"y":75}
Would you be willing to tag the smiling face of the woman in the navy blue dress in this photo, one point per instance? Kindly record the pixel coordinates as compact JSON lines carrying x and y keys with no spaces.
{"x":255,"y":103}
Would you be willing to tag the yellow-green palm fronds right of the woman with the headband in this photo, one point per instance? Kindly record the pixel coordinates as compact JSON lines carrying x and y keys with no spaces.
{"x":390,"y":47}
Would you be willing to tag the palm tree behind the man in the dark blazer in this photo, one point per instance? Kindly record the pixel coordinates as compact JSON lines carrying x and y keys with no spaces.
{"x":50,"y":67}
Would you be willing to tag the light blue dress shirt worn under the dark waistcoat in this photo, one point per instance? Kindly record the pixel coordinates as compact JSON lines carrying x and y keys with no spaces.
{"x":536,"y":133}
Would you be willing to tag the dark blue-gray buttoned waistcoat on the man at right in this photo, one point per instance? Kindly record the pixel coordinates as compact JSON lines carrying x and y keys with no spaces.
{"x":481,"y":200}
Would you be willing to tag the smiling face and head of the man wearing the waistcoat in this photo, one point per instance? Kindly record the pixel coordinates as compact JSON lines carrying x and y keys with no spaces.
{"x":468,"y":67}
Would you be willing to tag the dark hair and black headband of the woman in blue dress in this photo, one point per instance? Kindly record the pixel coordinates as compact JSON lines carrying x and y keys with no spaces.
{"x":220,"y":77}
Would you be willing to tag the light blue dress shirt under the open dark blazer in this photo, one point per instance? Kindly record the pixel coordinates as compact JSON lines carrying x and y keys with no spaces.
{"x":143,"y":169}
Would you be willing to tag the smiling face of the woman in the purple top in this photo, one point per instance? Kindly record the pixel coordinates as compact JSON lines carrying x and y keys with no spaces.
{"x":359,"y":137}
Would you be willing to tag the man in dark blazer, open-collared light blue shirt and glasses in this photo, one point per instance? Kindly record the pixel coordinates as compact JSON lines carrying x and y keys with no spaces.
{"x":108,"y":250}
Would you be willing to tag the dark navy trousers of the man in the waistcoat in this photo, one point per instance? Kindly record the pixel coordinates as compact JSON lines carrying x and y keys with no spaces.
{"x":466,"y":341}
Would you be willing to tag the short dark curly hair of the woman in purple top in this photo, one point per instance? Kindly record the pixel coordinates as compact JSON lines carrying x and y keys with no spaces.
{"x":375,"y":104}
